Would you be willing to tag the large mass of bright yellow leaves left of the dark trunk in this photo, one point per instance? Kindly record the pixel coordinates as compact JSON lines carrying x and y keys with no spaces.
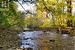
{"x":55,"y":7}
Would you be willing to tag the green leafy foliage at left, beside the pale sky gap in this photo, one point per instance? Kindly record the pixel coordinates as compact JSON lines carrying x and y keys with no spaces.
{"x":9,"y":18}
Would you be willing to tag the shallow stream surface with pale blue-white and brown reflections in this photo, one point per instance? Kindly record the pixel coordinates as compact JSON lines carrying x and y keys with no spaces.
{"x":39,"y":40}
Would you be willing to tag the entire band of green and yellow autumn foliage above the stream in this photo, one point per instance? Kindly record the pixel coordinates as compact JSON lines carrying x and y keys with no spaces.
{"x":49,"y":13}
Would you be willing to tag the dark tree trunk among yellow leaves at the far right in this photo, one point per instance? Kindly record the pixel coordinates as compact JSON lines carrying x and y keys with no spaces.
{"x":69,"y":12}
